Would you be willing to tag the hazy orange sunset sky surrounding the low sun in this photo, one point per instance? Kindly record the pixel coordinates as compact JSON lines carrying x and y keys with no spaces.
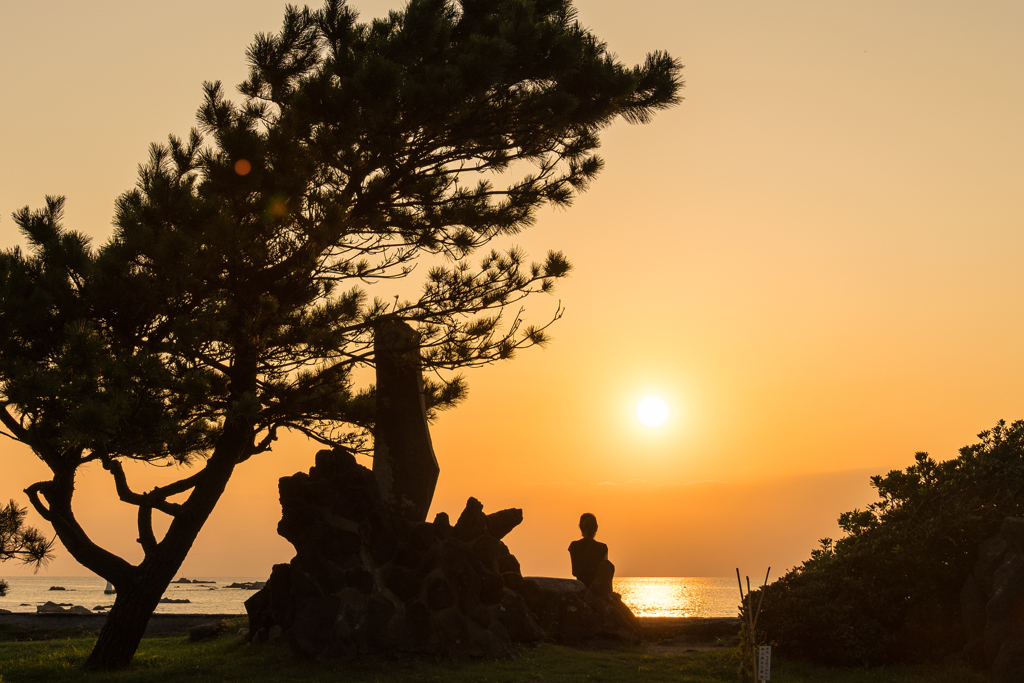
{"x":815,"y":261}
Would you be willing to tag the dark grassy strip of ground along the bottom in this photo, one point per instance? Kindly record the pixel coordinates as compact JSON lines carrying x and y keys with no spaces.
{"x":173,"y":660}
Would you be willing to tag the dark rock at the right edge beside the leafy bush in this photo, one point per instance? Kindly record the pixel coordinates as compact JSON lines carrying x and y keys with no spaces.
{"x":993,"y":606}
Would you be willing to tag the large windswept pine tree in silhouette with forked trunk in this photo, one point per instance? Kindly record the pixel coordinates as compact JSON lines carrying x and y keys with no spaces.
{"x":234,"y":300}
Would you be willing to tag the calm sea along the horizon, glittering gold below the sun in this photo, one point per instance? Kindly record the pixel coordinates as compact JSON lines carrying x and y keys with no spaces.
{"x":647,"y":596}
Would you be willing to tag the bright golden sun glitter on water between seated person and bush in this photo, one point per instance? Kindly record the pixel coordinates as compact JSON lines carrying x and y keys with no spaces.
{"x":679,"y":596}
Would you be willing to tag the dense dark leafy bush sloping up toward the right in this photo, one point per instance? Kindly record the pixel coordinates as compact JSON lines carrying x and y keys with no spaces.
{"x":889,"y":590}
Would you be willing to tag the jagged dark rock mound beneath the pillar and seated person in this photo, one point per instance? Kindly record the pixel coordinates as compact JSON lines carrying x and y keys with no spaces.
{"x":367,"y":579}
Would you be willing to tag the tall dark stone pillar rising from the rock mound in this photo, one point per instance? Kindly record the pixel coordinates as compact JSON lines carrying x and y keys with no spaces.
{"x":404,"y":457}
